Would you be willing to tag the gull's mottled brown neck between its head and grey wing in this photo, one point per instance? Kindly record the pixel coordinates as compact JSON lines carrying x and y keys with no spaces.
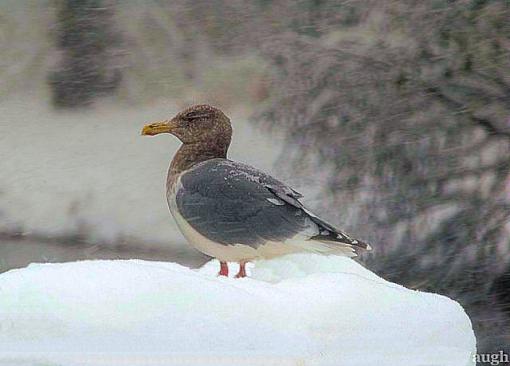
{"x":189,"y":155}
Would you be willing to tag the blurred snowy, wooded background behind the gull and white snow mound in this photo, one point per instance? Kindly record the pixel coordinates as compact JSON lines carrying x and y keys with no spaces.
{"x":393,"y":117}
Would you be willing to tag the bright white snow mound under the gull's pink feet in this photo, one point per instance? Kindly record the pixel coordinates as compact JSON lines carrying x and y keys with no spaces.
{"x":294,"y":310}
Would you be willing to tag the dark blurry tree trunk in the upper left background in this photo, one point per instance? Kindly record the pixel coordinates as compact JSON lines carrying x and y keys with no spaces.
{"x":89,"y":47}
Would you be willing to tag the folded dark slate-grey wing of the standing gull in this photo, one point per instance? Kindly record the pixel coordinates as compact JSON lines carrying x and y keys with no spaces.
{"x":233,"y":203}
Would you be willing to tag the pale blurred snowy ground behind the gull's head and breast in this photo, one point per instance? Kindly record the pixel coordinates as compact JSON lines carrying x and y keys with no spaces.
{"x":92,"y":173}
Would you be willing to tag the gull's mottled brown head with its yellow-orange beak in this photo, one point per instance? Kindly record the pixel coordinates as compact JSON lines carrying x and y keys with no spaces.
{"x":196,"y":124}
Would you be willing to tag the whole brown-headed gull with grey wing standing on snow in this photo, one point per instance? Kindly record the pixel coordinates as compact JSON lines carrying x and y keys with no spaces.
{"x":232,"y":211}
